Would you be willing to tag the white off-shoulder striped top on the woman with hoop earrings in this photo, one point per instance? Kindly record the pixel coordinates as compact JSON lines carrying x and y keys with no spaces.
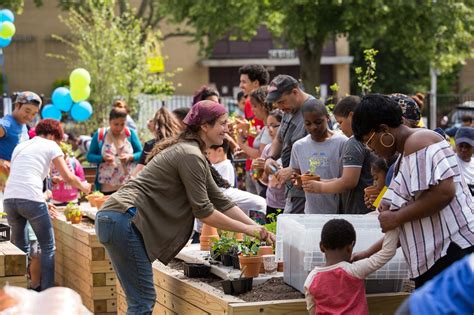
{"x":426,"y":240}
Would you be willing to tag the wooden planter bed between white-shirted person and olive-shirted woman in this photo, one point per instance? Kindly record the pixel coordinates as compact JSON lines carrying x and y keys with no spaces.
{"x":82,"y":265}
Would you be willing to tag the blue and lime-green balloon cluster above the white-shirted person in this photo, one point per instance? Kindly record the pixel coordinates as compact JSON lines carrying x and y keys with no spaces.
{"x":73,"y":101}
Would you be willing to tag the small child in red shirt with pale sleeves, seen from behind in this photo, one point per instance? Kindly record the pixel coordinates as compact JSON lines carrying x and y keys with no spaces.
{"x":338,"y":287}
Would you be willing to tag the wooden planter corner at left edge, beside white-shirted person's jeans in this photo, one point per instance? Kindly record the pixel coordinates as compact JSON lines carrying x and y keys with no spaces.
{"x":13,"y":264}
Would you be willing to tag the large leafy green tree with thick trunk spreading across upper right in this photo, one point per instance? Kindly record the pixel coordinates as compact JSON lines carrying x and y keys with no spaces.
{"x":440,"y":32}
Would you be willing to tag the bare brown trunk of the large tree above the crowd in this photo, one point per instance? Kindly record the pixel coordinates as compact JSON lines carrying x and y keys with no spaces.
{"x":310,"y":64}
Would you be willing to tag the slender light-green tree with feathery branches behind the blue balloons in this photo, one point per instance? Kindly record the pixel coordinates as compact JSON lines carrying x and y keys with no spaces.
{"x":110,"y":48}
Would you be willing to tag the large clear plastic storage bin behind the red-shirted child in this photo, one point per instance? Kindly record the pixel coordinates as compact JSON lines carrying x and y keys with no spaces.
{"x":298,"y":237}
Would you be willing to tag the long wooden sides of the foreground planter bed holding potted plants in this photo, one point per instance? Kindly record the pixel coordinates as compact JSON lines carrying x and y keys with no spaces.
{"x":178,"y":295}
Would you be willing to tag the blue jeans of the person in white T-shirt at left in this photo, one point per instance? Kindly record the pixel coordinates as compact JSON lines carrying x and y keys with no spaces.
{"x":18,"y":212}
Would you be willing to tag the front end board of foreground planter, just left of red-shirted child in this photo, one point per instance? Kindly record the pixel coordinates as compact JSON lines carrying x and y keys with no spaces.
{"x":284,"y":307}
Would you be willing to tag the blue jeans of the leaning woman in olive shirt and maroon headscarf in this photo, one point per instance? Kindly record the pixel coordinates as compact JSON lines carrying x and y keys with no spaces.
{"x":126,"y":249}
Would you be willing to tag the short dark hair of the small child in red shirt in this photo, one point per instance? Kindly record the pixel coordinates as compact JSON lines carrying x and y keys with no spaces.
{"x":337,"y":234}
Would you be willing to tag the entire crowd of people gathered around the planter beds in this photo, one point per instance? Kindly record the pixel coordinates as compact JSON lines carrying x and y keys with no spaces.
{"x":367,"y":149}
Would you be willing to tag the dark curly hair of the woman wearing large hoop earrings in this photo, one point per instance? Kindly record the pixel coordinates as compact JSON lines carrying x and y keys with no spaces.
{"x":373,"y":111}
